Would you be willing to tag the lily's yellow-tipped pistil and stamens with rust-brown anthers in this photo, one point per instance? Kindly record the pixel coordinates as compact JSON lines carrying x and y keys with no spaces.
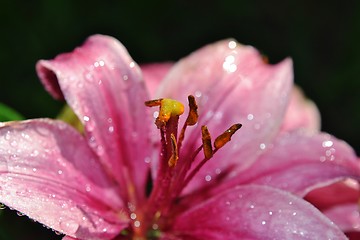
{"x":174,"y":173}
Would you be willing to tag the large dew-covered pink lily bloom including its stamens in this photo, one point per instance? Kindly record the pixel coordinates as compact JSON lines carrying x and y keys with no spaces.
{"x":125,"y":178}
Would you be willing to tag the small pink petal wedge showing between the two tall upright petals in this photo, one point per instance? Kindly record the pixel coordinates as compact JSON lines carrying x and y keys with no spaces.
{"x":154,"y":74}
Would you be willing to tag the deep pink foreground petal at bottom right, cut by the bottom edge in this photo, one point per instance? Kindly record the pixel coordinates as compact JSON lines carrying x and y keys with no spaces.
{"x":254,"y":212}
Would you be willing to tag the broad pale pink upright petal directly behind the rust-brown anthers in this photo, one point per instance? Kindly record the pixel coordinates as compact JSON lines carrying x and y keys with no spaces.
{"x":231,"y":85}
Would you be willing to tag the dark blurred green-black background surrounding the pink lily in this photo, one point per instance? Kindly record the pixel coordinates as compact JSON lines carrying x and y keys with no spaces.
{"x":322,"y":37}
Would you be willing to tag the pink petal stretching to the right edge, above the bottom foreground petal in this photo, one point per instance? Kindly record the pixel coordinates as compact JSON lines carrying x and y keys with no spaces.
{"x":299,"y":162}
